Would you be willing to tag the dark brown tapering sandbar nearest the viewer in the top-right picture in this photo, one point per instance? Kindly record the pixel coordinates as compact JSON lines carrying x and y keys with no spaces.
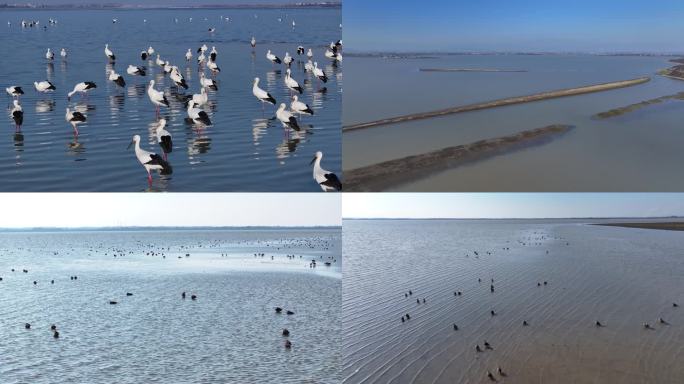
{"x":381,"y":176}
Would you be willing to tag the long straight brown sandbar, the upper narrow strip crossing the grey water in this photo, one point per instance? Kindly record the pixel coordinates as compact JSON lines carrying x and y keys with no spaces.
{"x":499,"y":103}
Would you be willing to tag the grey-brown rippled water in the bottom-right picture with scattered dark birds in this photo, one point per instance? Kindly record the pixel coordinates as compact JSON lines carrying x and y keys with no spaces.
{"x":622,"y":277}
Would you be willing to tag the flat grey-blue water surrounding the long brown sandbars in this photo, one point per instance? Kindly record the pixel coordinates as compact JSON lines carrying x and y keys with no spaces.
{"x":640,"y":151}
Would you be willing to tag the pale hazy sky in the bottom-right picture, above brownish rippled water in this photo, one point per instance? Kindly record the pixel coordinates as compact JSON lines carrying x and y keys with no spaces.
{"x":511,"y":205}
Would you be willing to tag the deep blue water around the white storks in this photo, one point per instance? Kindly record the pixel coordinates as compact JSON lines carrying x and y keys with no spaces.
{"x":245,"y":150}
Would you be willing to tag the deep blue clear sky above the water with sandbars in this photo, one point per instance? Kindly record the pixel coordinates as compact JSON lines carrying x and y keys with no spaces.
{"x":514,"y":25}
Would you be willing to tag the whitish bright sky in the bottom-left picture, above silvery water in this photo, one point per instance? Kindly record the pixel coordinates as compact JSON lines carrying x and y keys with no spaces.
{"x":20,"y":210}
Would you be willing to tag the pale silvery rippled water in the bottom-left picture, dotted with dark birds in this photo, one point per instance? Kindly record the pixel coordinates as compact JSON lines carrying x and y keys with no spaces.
{"x":229,"y":334}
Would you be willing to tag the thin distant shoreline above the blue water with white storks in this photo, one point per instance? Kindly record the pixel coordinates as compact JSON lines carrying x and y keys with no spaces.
{"x":123,"y":7}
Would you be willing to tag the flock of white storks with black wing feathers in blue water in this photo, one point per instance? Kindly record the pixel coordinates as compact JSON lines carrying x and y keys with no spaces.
{"x":194,"y":103}
